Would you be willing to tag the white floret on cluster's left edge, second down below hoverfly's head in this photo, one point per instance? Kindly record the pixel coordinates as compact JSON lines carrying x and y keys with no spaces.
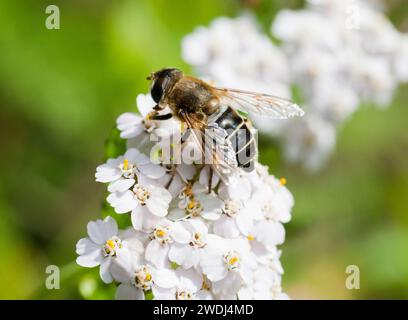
{"x":122,"y":173}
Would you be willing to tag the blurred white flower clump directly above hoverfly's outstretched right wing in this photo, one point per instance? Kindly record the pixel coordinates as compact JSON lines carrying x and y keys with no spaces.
{"x":259,"y":65}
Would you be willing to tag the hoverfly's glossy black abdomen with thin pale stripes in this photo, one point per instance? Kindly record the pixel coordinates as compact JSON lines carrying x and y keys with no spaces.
{"x":241,"y":137}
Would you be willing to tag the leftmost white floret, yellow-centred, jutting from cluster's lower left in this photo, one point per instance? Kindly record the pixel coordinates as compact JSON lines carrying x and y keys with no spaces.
{"x":101,"y":246}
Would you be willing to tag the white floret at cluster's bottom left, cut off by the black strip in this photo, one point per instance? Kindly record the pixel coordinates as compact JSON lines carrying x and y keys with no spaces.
{"x":136,"y":277}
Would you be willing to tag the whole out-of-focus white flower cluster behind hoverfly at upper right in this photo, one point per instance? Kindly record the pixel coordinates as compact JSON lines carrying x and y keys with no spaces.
{"x":339,"y":55}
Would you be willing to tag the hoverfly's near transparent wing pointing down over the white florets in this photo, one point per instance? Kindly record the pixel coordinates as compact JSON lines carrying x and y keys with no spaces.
{"x":215,"y":147}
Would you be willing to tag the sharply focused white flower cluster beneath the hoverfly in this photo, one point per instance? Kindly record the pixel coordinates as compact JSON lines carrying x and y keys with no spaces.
{"x":192,"y":234}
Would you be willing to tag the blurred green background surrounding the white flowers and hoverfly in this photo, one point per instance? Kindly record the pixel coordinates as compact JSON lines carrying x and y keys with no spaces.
{"x":60,"y":93}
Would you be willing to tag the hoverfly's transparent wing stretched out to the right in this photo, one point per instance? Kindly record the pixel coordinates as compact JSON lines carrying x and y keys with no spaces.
{"x":259,"y":104}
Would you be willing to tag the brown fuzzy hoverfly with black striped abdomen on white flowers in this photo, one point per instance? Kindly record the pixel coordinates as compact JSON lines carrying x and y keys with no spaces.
{"x":214,"y":113}
